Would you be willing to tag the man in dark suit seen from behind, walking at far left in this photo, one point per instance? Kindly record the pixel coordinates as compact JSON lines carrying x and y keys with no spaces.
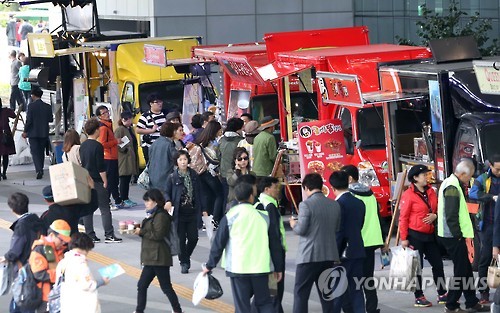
{"x":37,"y":129}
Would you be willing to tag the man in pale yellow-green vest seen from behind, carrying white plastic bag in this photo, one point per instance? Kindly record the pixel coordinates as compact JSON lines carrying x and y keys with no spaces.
{"x":251,"y":252}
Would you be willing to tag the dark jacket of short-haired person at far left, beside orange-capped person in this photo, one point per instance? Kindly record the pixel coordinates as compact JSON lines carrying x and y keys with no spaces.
{"x":26,"y":229}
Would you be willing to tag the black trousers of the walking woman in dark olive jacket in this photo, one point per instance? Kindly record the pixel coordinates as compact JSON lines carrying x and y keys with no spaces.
{"x":147,"y":275}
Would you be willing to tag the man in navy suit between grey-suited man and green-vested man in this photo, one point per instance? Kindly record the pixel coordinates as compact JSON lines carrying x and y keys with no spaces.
{"x":350,"y":243}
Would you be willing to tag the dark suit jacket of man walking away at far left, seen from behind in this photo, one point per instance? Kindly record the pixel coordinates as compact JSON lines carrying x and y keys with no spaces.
{"x":37,"y":120}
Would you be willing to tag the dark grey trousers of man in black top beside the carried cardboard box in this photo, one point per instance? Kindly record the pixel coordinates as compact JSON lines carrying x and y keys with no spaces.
{"x":107,"y":220}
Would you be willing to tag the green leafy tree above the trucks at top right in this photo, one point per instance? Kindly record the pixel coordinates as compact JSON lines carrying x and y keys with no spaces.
{"x":436,"y":26}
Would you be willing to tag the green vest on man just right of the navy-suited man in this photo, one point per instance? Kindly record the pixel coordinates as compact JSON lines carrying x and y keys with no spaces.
{"x":371,"y":231}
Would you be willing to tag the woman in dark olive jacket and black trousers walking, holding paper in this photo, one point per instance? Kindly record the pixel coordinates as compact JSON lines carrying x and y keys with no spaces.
{"x":156,"y":258}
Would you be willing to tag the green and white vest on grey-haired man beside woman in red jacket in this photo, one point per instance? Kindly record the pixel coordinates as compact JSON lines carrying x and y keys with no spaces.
{"x":463,"y":213}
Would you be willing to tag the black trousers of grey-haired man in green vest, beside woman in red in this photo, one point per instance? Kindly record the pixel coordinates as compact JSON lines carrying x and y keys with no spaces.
{"x":462,"y":270}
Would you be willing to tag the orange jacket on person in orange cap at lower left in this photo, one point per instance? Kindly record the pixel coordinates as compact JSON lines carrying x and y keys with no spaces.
{"x":44,"y":271}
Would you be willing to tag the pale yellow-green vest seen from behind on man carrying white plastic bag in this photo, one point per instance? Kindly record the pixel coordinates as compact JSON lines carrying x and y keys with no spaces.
{"x":247,"y":251}
